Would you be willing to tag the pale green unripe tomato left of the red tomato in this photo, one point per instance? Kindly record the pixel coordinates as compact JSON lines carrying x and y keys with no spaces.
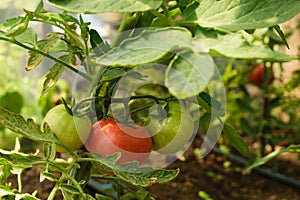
{"x":70,"y":130}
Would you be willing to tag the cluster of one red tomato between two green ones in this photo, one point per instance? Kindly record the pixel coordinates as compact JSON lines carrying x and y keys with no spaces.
{"x":107,"y":136}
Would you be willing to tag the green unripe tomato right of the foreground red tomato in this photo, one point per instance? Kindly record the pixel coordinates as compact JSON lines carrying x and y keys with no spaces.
{"x":173,"y":132}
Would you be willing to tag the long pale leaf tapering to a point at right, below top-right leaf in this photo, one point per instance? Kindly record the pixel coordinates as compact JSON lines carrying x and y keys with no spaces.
{"x":233,"y":45}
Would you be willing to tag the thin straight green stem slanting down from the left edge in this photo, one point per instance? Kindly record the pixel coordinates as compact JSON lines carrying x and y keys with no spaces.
{"x":84,"y":75}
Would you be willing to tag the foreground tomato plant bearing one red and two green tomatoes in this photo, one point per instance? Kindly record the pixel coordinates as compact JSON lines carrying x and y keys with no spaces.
{"x":169,"y":43}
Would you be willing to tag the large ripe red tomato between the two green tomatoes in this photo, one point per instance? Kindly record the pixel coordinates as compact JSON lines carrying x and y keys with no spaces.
{"x":108,"y":137}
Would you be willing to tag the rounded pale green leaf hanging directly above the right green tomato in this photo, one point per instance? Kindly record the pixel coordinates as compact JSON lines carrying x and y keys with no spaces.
{"x":189,"y":73}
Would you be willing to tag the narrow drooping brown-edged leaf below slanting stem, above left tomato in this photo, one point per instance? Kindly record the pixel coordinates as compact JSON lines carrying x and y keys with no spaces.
{"x":55,"y":73}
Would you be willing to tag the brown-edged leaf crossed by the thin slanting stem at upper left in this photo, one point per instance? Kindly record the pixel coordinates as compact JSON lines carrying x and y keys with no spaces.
{"x":36,"y":58}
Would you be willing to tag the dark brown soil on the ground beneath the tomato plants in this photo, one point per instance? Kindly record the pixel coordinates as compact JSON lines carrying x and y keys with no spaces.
{"x":209,"y":176}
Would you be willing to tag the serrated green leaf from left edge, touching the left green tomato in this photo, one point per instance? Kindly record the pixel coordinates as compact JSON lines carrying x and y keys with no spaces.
{"x":27,"y":128}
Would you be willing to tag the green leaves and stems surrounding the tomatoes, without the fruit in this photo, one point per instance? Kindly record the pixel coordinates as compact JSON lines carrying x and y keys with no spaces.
{"x":184,"y":35}
